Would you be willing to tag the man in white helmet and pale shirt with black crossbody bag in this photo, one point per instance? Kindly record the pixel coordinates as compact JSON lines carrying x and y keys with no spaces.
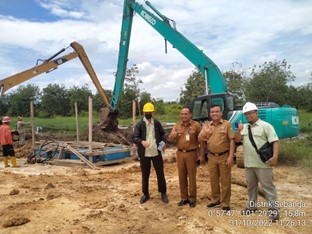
{"x":256,"y":170}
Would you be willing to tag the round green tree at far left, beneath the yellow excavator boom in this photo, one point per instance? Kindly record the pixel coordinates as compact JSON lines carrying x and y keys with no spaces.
{"x":20,"y":99}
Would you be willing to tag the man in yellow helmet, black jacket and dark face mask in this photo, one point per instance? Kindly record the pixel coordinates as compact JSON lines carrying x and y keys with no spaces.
{"x":148,"y":134}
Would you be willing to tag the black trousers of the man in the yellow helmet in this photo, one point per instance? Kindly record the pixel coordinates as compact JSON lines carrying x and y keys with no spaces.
{"x":158,"y":163}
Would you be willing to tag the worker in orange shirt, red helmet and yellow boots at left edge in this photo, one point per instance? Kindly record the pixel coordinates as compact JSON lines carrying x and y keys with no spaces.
{"x":7,"y":142}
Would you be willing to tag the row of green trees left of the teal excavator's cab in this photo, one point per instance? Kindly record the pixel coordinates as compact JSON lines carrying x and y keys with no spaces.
{"x":57,"y":100}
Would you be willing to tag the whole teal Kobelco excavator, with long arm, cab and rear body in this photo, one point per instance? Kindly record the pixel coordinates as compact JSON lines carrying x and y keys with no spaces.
{"x":216,"y":87}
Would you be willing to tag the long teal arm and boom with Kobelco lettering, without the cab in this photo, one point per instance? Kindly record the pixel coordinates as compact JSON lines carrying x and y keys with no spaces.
{"x":215,"y":82}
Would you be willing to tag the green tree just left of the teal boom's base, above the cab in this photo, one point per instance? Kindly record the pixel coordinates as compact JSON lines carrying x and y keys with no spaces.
{"x":194,"y":86}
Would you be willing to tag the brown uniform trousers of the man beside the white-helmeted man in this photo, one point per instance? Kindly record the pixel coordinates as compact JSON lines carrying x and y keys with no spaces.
{"x":219,"y":173}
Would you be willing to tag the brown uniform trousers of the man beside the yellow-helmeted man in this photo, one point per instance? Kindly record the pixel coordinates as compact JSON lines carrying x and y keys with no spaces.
{"x":187,"y":169}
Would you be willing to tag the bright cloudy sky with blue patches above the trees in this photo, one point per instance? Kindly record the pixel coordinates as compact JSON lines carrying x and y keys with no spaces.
{"x":245,"y":32}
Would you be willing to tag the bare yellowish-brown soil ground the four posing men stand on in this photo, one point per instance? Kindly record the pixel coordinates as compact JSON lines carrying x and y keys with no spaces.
{"x":39,"y":198}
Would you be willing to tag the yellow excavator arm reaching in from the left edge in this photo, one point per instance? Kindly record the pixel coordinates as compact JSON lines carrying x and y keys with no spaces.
{"x":49,"y":65}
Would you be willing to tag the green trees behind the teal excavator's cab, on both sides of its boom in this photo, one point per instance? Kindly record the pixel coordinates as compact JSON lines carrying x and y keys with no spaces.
{"x":264,"y":83}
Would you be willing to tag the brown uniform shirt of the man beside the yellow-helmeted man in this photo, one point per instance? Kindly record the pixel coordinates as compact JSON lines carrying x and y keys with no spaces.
{"x":192,"y":129}
